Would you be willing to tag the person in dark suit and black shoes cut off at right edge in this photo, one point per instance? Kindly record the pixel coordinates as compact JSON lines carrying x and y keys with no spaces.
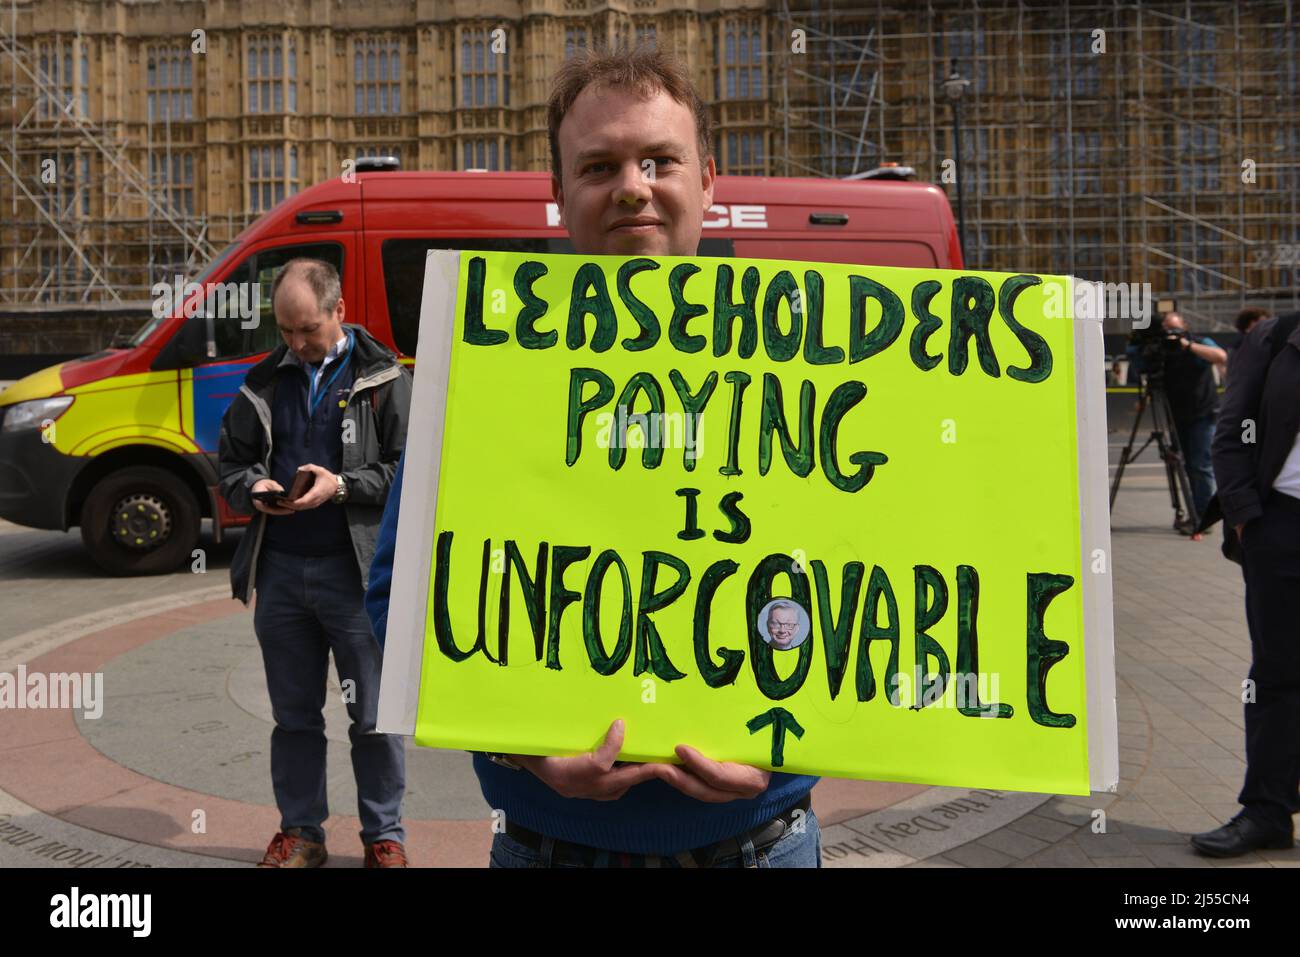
{"x":1258,"y":466}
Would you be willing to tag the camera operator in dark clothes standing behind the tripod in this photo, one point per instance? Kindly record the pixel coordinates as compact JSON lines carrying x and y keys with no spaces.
{"x":1194,"y":402}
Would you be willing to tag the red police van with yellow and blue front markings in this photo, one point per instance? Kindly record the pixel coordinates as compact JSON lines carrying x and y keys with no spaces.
{"x":124,"y":443}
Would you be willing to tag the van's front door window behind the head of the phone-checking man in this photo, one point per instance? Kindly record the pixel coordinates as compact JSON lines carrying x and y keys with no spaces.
{"x":236,"y":341}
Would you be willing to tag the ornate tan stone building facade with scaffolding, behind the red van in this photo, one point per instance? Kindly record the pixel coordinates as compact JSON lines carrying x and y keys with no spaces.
{"x":1151,"y":141}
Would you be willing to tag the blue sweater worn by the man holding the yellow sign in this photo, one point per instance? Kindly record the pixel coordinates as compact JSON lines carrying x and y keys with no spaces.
{"x":652,"y":819}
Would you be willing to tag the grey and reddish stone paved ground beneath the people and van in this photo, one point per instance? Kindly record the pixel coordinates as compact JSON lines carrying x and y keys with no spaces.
{"x":176,"y":770}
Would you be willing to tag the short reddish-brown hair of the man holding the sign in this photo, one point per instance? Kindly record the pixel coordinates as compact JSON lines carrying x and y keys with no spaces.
{"x":644,"y":71}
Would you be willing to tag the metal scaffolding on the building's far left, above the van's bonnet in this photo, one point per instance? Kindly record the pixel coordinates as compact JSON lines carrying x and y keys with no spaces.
{"x":81,"y":213}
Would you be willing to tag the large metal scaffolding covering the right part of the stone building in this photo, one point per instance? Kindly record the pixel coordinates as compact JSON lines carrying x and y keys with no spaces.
{"x":1121,"y":142}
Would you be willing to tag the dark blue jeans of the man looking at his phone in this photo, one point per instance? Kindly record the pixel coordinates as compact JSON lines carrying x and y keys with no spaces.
{"x":309,"y":607}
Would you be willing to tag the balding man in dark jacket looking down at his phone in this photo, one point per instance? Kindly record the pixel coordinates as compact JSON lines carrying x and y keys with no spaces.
{"x":333,"y":404}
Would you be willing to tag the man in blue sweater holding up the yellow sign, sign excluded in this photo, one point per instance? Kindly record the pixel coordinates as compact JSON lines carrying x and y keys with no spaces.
{"x":634,"y":176}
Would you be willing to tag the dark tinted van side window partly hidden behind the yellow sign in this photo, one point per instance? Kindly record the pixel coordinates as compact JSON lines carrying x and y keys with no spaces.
{"x":404,"y":272}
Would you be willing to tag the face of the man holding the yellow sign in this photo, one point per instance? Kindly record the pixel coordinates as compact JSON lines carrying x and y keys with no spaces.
{"x":631,"y":181}
